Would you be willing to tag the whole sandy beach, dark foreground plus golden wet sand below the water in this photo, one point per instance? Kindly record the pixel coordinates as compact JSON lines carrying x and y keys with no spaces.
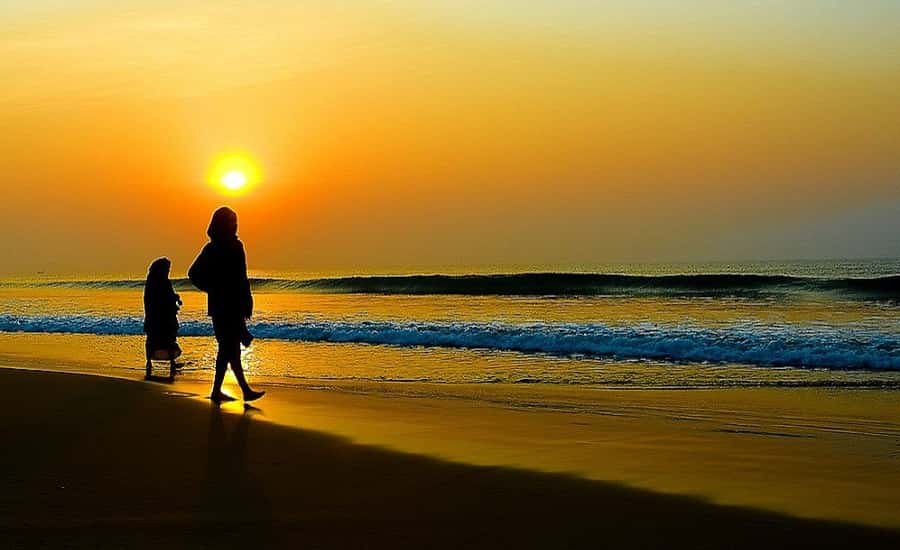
{"x":104,"y":462}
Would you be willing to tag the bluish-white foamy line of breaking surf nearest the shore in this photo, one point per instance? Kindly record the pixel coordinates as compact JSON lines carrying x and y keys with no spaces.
{"x":804,"y":346}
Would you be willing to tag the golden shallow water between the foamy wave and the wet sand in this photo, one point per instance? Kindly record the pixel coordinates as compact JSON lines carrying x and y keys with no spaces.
{"x":293,"y":363}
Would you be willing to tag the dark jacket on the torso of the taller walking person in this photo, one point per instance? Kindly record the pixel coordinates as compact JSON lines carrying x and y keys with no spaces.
{"x":221,"y":271}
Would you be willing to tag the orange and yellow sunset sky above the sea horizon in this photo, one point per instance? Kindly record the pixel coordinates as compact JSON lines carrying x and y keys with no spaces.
{"x":416,"y":134}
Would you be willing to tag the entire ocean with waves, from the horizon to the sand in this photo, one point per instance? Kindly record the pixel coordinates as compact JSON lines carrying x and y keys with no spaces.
{"x":793,"y":323}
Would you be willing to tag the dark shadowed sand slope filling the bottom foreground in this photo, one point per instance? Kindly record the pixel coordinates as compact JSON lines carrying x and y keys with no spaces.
{"x":101,"y":462}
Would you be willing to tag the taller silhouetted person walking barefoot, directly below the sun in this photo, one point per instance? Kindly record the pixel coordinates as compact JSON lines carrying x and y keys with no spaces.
{"x":221,"y":272}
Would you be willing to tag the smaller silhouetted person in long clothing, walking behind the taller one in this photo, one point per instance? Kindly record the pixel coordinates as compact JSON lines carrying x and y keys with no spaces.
{"x":161,"y":305}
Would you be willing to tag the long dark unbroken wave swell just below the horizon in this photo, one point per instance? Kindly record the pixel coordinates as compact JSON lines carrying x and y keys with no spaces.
{"x":554,"y":284}
